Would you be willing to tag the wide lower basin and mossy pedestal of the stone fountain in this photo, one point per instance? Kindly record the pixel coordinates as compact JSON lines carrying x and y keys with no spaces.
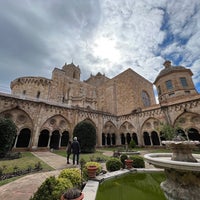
{"x":182,"y":178}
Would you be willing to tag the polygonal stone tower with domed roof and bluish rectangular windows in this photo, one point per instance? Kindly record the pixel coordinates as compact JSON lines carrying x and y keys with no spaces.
{"x":174,"y":82}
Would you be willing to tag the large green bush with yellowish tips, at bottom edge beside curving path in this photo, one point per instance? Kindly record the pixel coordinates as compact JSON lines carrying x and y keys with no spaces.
{"x":52,"y":188}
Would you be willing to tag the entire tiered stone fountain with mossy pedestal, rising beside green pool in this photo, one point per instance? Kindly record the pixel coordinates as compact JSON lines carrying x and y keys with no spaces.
{"x":182,"y":169}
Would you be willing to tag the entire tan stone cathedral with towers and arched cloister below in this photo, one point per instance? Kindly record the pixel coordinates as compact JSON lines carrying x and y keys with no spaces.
{"x":122,"y":108}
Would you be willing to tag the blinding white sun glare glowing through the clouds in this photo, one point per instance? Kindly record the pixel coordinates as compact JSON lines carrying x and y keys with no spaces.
{"x":106,"y":49}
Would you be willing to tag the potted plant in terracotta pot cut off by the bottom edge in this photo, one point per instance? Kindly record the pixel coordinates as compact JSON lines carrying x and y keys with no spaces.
{"x":72,"y":194}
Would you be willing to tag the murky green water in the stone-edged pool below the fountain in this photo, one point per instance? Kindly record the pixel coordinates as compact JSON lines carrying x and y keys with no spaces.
{"x":142,"y":186}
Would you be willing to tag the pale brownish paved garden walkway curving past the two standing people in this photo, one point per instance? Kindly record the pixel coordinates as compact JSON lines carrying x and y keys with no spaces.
{"x":23,"y":188}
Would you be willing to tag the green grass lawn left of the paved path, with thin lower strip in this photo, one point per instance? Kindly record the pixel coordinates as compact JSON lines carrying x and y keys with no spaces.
{"x":27,"y":160}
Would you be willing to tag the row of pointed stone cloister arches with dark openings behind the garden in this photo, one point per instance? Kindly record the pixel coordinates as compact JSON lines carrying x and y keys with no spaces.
{"x":56,"y":131}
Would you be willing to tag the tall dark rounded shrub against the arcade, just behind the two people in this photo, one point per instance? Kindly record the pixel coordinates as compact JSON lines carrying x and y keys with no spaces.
{"x":86,"y":134}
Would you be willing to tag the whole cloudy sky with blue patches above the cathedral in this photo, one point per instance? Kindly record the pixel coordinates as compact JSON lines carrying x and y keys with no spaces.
{"x":106,"y":36}
